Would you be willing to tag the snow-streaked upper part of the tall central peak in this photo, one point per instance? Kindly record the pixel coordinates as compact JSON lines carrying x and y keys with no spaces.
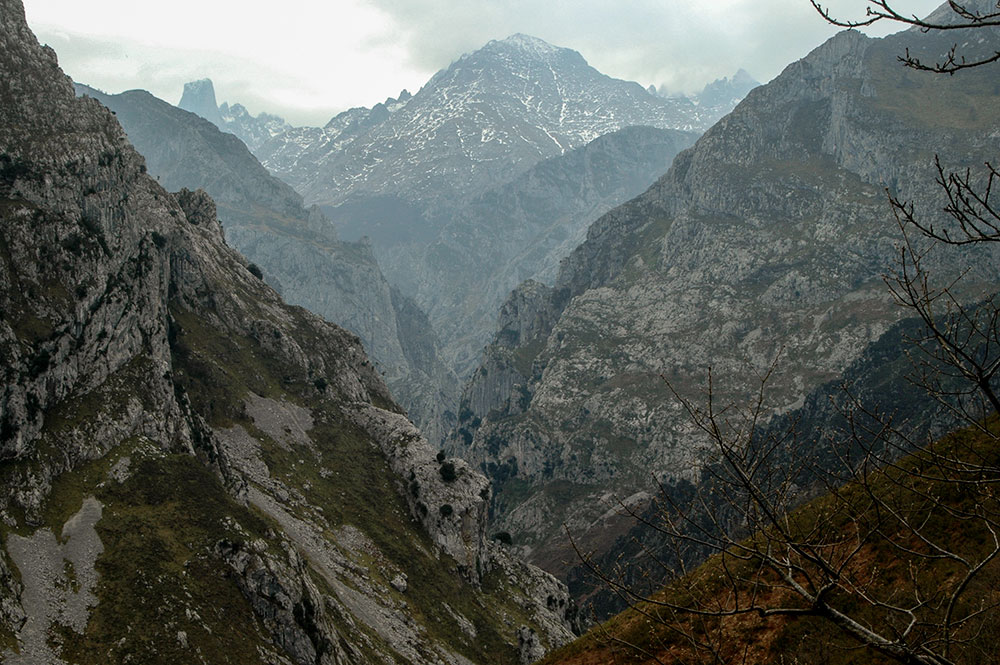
{"x":488,"y":116}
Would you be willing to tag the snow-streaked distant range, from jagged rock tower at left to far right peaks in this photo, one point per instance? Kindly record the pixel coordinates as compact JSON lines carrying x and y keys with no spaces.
{"x":516,"y":93}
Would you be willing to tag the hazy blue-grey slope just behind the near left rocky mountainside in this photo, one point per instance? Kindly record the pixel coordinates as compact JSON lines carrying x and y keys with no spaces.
{"x":296,"y":248}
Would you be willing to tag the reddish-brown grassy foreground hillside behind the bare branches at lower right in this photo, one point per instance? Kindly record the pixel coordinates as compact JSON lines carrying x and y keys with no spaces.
{"x":886,"y":563}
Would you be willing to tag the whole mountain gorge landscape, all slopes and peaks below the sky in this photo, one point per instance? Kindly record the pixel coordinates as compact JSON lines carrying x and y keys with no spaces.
{"x":459,"y":377}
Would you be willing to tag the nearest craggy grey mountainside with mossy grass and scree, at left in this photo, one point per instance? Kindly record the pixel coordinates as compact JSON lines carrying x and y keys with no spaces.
{"x":193,"y":470}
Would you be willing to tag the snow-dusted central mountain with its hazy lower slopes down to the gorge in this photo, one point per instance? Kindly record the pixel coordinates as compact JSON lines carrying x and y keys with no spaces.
{"x":452,"y":186}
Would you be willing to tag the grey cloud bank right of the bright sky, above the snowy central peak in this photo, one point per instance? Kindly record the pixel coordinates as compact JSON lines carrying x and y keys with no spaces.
{"x":677,"y":43}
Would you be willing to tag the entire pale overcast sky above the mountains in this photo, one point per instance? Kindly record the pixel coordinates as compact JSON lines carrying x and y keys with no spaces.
{"x":307,"y":60}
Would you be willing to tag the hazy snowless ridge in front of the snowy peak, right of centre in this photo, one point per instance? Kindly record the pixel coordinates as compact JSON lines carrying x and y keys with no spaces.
{"x":522,"y":229}
